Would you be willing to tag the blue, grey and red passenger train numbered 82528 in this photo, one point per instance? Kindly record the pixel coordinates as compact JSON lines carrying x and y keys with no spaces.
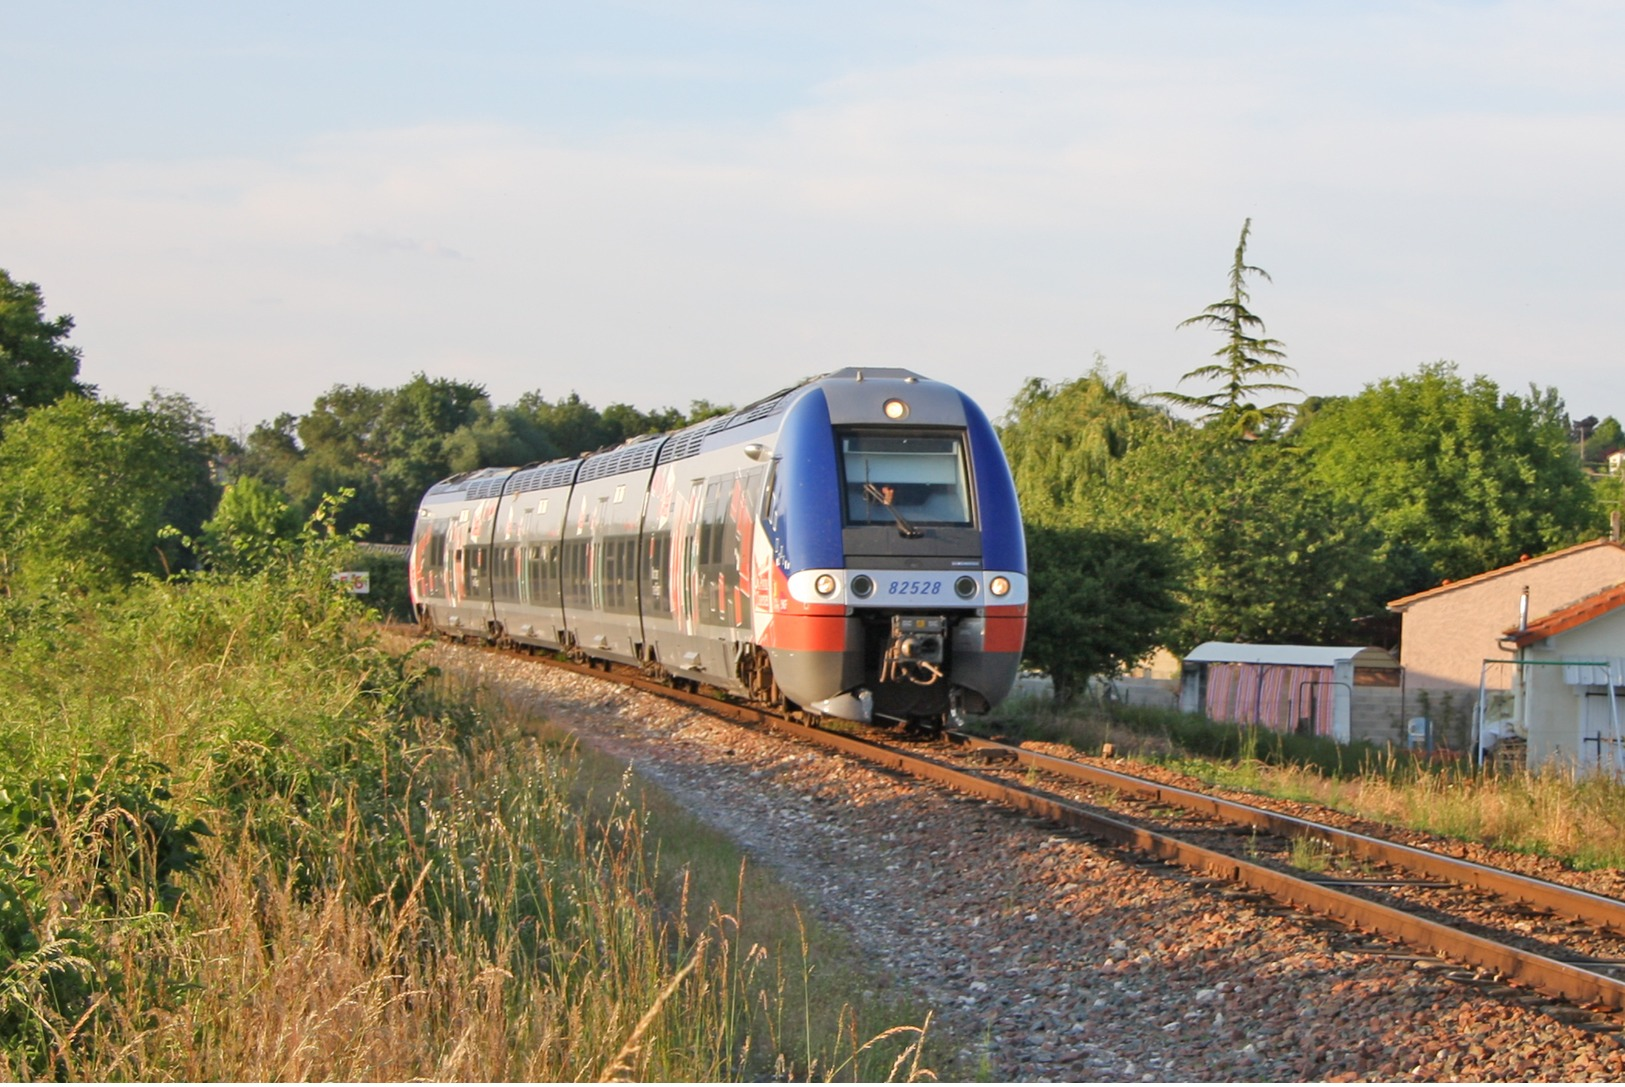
{"x":849,"y":548}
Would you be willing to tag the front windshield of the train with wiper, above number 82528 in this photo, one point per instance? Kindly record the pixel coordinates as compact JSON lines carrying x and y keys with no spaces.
{"x":919,"y":479}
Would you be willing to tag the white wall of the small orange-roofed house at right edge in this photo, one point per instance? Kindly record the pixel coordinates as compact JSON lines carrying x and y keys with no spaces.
{"x":1553,"y":708}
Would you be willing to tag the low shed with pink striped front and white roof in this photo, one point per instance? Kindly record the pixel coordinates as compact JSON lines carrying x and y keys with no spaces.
{"x":1346,"y":693}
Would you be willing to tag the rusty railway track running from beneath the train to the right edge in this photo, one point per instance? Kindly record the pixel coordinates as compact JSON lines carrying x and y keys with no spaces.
{"x":1512,"y":929}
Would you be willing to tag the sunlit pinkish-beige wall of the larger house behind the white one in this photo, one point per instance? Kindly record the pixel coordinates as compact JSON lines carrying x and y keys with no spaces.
{"x":1447,"y":638}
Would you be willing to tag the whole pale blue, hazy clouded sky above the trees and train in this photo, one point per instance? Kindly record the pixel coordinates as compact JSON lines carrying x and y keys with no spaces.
{"x":657,"y":204}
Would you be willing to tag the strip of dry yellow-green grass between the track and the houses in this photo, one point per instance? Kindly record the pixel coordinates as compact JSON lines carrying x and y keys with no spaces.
{"x":1579,"y":821}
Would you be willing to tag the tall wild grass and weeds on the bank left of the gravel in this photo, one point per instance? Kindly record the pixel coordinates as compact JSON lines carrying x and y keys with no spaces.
{"x":243,"y":842}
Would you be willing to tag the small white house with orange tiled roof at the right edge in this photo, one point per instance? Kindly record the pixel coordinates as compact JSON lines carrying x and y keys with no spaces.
{"x":1571,"y":701}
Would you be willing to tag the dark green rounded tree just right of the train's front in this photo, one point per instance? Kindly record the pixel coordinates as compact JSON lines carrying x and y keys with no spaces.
{"x":1103,"y":599}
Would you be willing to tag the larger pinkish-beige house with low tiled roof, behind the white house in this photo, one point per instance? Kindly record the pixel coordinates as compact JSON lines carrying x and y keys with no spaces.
{"x":1452,"y":638}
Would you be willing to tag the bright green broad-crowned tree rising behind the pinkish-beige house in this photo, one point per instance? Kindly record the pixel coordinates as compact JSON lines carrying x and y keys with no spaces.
{"x":1460,"y":474}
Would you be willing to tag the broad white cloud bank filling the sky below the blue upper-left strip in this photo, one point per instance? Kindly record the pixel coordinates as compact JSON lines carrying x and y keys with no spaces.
{"x":979,"y":214}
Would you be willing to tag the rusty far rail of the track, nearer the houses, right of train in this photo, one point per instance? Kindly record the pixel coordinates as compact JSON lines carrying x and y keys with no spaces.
{"x":1571,"y":903}
